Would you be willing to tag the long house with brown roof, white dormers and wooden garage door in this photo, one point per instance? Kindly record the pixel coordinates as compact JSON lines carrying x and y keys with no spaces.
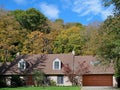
{"x":52,"y":66}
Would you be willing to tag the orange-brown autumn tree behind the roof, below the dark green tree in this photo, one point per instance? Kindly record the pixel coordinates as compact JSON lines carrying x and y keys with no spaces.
{"x":36,"y":43}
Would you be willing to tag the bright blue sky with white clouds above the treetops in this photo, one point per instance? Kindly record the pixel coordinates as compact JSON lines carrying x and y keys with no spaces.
{"x":82,"y":11}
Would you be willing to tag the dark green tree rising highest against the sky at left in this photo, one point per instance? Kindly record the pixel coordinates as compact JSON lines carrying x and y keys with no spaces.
{"x":31,"y":19}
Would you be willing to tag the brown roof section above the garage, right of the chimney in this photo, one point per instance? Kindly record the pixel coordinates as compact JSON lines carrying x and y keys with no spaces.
{"x":94,"y":66}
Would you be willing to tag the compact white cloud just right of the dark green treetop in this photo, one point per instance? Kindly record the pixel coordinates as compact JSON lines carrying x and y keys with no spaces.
{"x":51,"y":11}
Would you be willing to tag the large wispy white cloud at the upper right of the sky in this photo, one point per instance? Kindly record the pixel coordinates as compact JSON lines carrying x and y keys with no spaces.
{"x":91,"y":7}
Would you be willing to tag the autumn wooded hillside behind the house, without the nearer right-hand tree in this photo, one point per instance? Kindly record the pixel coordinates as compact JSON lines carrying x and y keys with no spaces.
{"x":31,"y":32}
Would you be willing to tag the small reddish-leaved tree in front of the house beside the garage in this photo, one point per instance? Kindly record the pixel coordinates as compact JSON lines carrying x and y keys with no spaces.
{"x":75,"y":76}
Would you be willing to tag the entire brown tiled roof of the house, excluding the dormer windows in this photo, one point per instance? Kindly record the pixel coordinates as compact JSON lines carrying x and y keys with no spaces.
{"x":45,"y":63}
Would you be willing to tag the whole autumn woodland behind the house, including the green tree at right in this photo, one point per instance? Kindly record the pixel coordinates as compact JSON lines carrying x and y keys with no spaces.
{"x":31,"y":32}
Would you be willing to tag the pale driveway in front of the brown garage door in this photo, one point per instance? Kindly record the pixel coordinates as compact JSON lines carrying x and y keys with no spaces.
{"x":98,"y":88}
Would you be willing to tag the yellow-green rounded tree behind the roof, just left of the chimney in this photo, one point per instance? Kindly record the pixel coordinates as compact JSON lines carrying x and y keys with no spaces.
{"x":68,"y":40}
